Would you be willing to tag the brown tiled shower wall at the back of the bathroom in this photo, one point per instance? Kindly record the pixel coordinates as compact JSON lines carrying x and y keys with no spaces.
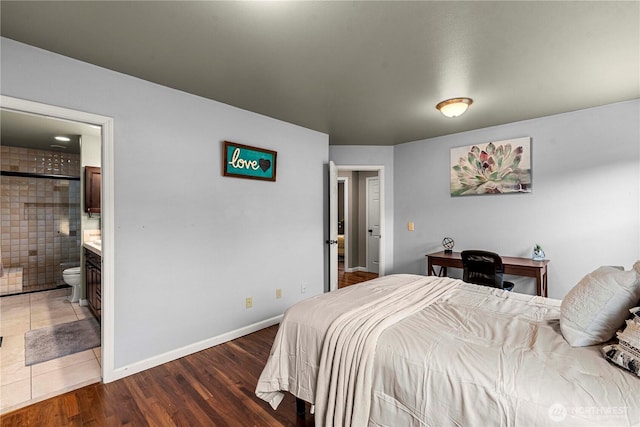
{"x":40,"y":217}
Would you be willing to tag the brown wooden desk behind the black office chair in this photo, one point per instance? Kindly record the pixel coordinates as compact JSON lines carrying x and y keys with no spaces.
{"x":512,"y":265}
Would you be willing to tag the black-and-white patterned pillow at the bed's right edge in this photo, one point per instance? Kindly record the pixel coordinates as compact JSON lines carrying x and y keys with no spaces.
{"x":627,"y":352}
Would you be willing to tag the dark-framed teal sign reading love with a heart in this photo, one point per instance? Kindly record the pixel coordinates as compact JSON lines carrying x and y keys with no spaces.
{"x":243,"y":161}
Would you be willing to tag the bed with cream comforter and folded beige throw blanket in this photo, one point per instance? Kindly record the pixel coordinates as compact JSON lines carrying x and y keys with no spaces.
{"x":410,"y":350}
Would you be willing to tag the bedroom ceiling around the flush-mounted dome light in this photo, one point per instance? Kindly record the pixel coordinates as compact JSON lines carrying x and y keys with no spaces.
{"x":364,"y":72}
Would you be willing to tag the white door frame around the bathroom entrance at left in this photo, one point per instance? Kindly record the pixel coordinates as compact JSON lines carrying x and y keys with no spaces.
{"x":107,"y":211}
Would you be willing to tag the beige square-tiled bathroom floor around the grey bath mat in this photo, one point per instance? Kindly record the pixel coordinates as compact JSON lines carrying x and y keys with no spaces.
{"x":22,"y":385}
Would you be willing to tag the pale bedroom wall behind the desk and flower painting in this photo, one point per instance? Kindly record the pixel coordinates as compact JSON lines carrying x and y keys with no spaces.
{"x":584,"y":209}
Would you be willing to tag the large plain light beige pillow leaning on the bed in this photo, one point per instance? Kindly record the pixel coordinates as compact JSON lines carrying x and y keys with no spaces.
{"x":597,"y":306}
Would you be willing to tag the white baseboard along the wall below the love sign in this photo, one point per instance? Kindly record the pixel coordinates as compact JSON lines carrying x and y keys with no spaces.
{"x":151,"y":362}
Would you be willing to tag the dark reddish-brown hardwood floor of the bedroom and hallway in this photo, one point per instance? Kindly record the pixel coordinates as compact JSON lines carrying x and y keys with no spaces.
{"x":214,"y":387}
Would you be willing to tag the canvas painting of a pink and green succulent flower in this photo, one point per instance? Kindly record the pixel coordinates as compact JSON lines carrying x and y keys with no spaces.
{"x":492,"y":168}
